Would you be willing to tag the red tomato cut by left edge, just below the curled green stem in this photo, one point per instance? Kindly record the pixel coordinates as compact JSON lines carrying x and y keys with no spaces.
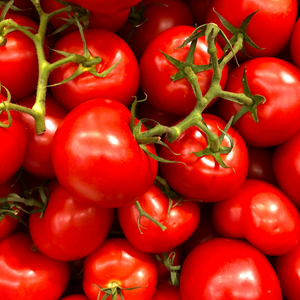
{"x":15,"y":139}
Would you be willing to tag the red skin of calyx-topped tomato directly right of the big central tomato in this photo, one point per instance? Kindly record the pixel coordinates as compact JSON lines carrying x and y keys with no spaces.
{"x":203,"y":179}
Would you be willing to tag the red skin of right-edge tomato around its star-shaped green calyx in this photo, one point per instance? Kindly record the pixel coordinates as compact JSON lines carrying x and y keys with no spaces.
{"x":279,"y":82}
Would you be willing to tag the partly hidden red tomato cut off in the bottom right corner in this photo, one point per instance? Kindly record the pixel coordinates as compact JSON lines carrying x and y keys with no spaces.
{"x":287,"y":269}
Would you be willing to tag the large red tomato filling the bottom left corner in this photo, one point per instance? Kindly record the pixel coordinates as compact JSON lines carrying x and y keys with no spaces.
{"x":28,"y":274}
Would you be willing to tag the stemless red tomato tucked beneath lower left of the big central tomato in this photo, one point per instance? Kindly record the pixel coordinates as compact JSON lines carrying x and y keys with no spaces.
{"x":69,"y":230}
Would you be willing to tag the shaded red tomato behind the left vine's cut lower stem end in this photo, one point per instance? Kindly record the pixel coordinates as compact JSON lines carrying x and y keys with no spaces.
{"x":37,"y":158}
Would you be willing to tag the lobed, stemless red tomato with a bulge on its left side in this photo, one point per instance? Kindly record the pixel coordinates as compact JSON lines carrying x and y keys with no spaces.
{"x":262,"y":214}
